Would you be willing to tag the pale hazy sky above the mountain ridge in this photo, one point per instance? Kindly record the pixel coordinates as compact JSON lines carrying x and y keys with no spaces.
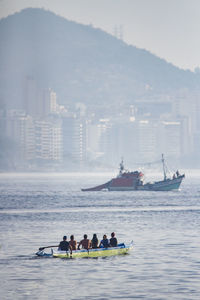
{"x":167,"y":28}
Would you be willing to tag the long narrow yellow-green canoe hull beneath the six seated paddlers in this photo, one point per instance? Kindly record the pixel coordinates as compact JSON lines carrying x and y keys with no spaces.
{"x":99,"y":252}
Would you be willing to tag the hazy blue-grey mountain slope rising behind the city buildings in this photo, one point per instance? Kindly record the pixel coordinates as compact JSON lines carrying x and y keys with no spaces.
{"x":79,"y":62}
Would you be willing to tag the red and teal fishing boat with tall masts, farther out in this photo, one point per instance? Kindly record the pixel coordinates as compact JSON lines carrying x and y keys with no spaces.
{"x":133,"y":181}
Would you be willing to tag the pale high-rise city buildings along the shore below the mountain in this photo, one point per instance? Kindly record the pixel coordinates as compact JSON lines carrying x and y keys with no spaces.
{"x":57,"y":138}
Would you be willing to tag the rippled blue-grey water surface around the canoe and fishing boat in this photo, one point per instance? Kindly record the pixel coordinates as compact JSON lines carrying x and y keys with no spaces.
{"x":37,"y":210}
